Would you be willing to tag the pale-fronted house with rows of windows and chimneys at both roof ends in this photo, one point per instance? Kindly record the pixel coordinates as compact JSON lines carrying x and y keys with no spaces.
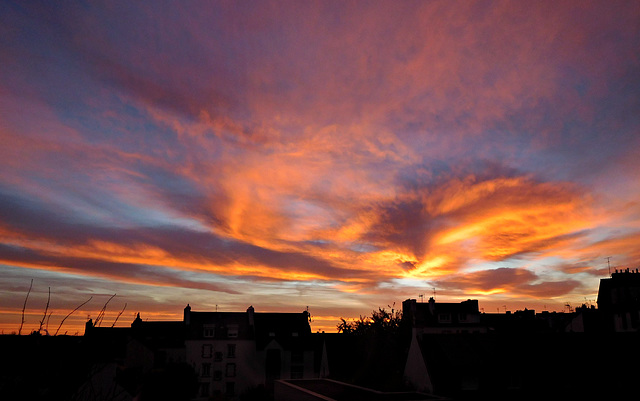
{"x":236,"y":352}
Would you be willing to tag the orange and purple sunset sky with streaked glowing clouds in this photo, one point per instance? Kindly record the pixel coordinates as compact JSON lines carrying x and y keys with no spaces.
{"x":339,"y":156}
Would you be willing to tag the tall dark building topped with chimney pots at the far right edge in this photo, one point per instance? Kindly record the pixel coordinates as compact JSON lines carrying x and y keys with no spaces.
{"x":619,"y":301}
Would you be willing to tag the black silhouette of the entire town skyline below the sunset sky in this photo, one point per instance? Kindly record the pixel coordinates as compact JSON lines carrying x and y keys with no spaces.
{"x":423,"y":351}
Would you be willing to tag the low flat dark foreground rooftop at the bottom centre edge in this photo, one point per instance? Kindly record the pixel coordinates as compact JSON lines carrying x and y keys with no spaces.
{"x":331,"y":390}
